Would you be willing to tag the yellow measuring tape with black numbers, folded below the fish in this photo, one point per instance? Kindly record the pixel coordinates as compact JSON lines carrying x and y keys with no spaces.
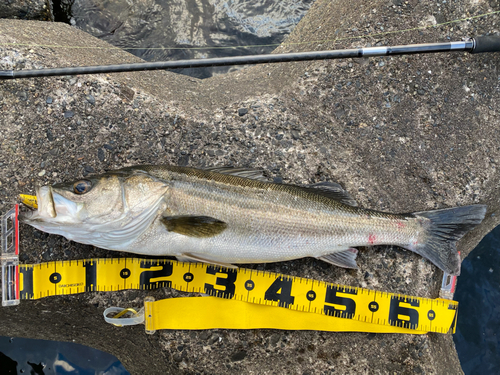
{"x":246,"y":298}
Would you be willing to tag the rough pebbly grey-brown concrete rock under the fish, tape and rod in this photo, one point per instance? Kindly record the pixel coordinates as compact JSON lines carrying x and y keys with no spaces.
{"x":401,"y":134}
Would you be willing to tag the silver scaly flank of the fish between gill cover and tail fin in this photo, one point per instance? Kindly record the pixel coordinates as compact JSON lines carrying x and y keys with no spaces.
{"x":268,"y":222}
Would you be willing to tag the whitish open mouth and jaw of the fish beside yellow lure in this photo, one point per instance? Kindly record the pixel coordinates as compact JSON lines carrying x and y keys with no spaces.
{"x":50,"y":206}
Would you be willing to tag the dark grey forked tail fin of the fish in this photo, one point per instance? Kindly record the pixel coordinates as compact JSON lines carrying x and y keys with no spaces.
{"x":445,"y":228}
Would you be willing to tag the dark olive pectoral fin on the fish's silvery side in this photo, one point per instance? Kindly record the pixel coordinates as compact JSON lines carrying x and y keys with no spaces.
{"x":194,"y":226}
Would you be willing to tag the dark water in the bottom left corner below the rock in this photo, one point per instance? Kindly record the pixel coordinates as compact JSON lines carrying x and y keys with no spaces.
{"x":27,"y":356}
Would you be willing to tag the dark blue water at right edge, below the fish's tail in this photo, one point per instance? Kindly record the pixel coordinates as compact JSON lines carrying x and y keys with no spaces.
{"x":478,"y":328}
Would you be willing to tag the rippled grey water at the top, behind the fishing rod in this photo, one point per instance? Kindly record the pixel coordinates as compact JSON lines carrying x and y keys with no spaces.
{"x":159,"y":30}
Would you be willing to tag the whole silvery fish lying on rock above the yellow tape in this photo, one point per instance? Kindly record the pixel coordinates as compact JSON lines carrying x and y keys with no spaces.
{"x":227,"y":216}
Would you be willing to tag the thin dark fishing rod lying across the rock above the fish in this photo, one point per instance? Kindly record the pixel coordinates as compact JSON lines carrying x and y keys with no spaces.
{"x":474,"y":45}
